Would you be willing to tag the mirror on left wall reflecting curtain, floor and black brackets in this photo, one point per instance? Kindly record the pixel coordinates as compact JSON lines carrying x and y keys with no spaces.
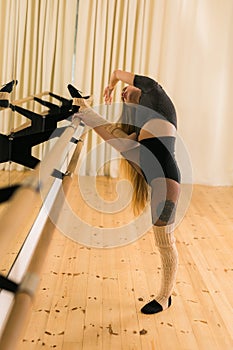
{"x":37,"y":56}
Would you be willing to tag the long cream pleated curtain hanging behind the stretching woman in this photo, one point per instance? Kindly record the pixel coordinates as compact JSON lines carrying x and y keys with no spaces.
{"x":187,"y":46}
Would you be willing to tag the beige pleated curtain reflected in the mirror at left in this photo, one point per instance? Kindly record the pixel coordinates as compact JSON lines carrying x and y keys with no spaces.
{"x":37,"y":46}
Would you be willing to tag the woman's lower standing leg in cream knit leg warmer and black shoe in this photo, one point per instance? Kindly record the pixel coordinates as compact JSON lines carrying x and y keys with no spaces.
{"x":165,"y":241}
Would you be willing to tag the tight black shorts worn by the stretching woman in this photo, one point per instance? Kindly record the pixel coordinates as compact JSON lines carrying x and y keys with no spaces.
{"x":157,"y":159}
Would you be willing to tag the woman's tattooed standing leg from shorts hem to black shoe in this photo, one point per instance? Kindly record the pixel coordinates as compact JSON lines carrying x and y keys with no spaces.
{"x":164,"y":198}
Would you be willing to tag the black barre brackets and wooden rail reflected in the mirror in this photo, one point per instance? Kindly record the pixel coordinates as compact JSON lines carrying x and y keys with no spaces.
{"x":17,"y":145}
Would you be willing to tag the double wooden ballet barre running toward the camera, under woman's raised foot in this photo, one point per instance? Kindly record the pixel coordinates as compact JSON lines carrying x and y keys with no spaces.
{"x":51,"y":177}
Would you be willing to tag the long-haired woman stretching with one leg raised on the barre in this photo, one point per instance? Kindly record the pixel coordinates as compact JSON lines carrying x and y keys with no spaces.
{"x":145,"y":136}
